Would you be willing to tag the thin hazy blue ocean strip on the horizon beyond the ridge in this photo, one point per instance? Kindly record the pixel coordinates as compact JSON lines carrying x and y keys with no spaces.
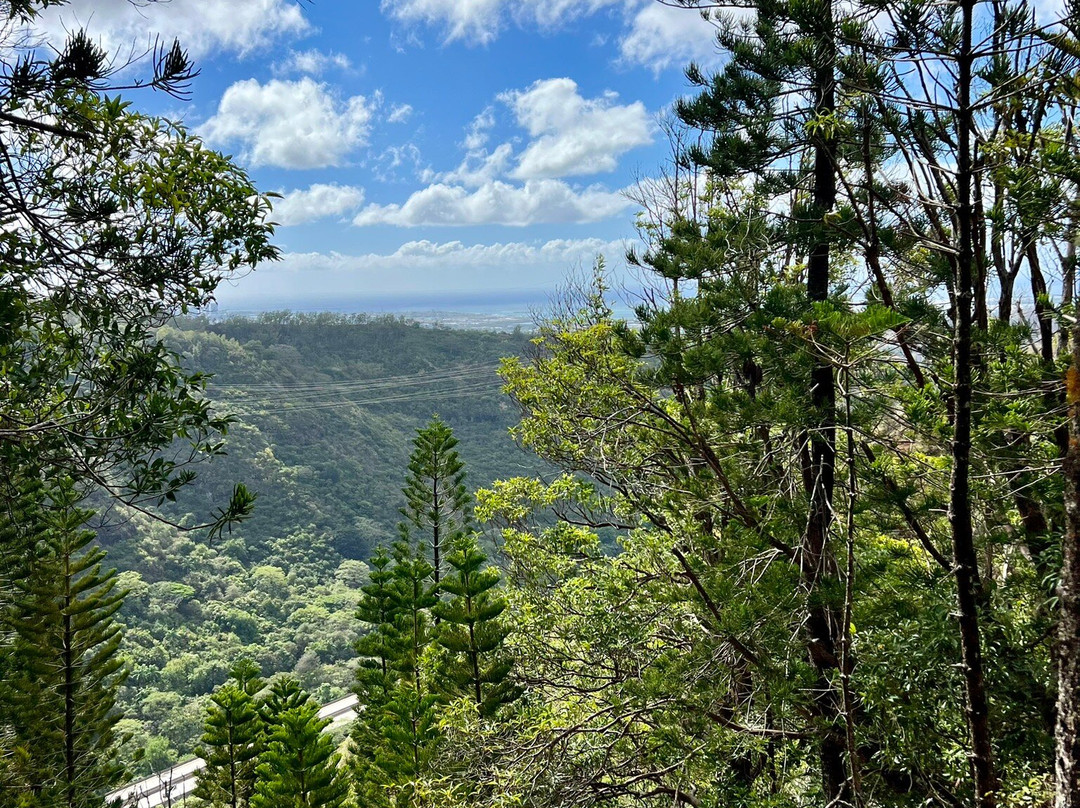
{"x":504,"y":311}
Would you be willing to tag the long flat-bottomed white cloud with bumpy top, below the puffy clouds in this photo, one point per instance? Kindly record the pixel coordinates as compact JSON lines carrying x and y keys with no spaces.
{"x":537,"y":201}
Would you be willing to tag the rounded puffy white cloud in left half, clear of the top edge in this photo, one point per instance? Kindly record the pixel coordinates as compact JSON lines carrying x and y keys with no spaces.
{"x":291,"y":125}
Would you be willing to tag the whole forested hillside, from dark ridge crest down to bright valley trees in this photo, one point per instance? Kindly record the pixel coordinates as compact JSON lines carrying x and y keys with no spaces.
{"x":327,"y":409}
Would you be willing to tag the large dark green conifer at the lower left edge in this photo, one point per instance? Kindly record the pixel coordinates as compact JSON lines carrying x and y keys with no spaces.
{"x":63,"y":670}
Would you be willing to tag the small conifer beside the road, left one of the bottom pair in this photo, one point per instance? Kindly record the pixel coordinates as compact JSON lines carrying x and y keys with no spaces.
{"x":232,"y":740}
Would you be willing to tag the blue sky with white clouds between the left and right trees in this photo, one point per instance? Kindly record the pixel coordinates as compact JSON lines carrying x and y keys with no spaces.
{"x":425,"y":147}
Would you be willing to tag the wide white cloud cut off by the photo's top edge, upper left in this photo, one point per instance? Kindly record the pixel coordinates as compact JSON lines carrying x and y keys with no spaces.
{"x":240,"y":26}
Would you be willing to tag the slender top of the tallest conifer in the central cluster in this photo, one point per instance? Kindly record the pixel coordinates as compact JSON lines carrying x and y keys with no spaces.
{"x":437,"y":501}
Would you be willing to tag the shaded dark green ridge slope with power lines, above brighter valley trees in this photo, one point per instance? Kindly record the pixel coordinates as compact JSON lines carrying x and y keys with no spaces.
{"x":293,"y":382}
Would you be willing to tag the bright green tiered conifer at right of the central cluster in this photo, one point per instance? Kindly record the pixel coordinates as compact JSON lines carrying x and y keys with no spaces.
{"x":471,"y":630}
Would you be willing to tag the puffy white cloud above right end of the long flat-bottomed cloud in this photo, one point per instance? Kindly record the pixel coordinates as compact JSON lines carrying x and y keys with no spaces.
{"x":575,"y":136}
